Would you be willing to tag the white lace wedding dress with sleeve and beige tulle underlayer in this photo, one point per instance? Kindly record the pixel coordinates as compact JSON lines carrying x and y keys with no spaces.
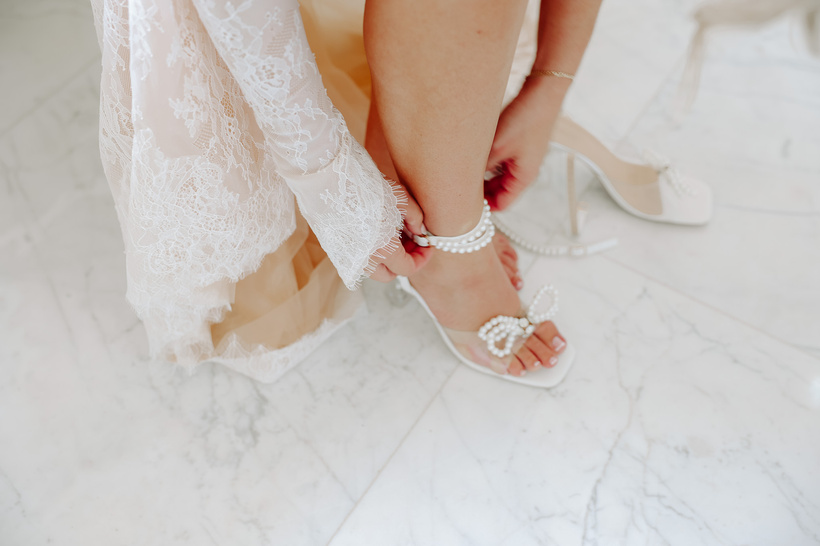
{"x":214,"y":125}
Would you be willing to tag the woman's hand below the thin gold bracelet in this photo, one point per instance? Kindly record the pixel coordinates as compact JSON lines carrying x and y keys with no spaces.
{"x":522,"y":139}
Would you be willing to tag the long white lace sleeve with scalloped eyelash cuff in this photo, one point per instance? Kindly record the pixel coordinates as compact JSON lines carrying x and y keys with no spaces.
{"x":341,"y":193}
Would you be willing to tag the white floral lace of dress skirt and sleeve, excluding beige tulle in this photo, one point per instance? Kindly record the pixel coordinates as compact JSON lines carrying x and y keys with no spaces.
{"x":213,"y":118}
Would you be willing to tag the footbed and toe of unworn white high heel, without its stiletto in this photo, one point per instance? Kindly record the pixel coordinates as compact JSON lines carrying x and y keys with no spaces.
{"x":654,"y":192}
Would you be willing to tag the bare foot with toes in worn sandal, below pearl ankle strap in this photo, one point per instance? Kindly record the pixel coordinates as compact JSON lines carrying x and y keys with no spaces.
{"x":466,"y":290}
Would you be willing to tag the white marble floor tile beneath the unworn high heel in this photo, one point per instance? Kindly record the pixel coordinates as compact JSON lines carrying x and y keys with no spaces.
{"x":753,"y":133}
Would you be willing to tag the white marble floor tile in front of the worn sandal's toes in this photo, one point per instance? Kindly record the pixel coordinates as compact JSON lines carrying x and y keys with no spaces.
{"x":676,"y":426}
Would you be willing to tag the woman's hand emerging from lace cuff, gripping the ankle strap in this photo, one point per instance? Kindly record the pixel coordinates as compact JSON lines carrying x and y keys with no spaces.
{"x":406,"y":257}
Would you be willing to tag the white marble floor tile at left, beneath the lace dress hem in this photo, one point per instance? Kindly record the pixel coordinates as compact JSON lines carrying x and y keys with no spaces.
{"x":89,"y":426}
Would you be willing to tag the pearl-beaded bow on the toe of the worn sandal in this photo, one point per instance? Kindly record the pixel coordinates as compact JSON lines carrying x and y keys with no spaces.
{"x":501,"y":332}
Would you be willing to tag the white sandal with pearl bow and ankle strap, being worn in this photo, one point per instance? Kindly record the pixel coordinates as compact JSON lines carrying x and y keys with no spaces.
{"x":491,"y":349}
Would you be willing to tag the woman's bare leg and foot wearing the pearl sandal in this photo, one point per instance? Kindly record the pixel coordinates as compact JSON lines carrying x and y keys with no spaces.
{"x":439,"y":70}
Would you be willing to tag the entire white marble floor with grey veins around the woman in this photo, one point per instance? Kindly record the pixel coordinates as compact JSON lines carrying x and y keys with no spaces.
{"x":691,"y":416}
